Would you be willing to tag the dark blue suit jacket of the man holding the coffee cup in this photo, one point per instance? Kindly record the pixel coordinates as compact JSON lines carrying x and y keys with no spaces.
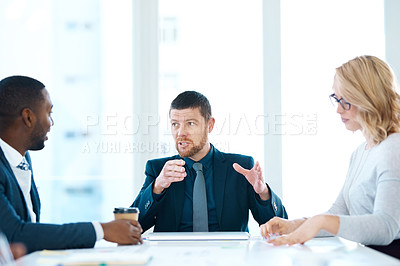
{"x":15,"y":219}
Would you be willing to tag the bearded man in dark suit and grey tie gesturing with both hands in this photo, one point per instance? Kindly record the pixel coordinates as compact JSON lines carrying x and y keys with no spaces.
{"x":167,"y":198}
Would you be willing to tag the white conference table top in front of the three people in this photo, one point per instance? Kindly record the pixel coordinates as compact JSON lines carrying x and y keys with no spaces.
{"x":255,"y":251}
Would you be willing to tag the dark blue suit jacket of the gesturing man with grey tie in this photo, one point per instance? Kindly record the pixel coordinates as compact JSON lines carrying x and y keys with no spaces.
{"x":234,"y":196}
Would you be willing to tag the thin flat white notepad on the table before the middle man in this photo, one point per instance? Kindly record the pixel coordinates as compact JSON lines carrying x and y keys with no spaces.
{"x":189,"y":236}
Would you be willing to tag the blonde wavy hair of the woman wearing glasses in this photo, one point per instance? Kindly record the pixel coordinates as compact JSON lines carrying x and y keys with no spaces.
{"x":369,"y":83}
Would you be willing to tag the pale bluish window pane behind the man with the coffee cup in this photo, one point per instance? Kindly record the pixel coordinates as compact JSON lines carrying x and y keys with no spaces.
{"x":81,"y":51}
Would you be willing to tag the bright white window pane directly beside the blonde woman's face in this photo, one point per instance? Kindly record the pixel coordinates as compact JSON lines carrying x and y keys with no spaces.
{"x":317,"y":37}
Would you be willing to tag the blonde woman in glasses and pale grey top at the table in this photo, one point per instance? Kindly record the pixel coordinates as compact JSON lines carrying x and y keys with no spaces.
{"x":367,"y":209}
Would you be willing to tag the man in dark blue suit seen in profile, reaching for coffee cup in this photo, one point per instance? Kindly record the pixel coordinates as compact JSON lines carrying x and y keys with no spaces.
{"x":25,"y":120}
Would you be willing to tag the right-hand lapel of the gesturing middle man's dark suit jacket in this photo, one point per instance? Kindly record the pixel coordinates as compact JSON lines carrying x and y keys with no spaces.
{"x":220,"y":176}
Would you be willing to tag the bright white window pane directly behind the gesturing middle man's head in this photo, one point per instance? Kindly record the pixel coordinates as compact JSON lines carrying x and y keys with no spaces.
{"x":215,"y":47}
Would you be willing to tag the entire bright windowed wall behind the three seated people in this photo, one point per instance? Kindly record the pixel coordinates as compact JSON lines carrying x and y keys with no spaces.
{"x":113,"y":67}
